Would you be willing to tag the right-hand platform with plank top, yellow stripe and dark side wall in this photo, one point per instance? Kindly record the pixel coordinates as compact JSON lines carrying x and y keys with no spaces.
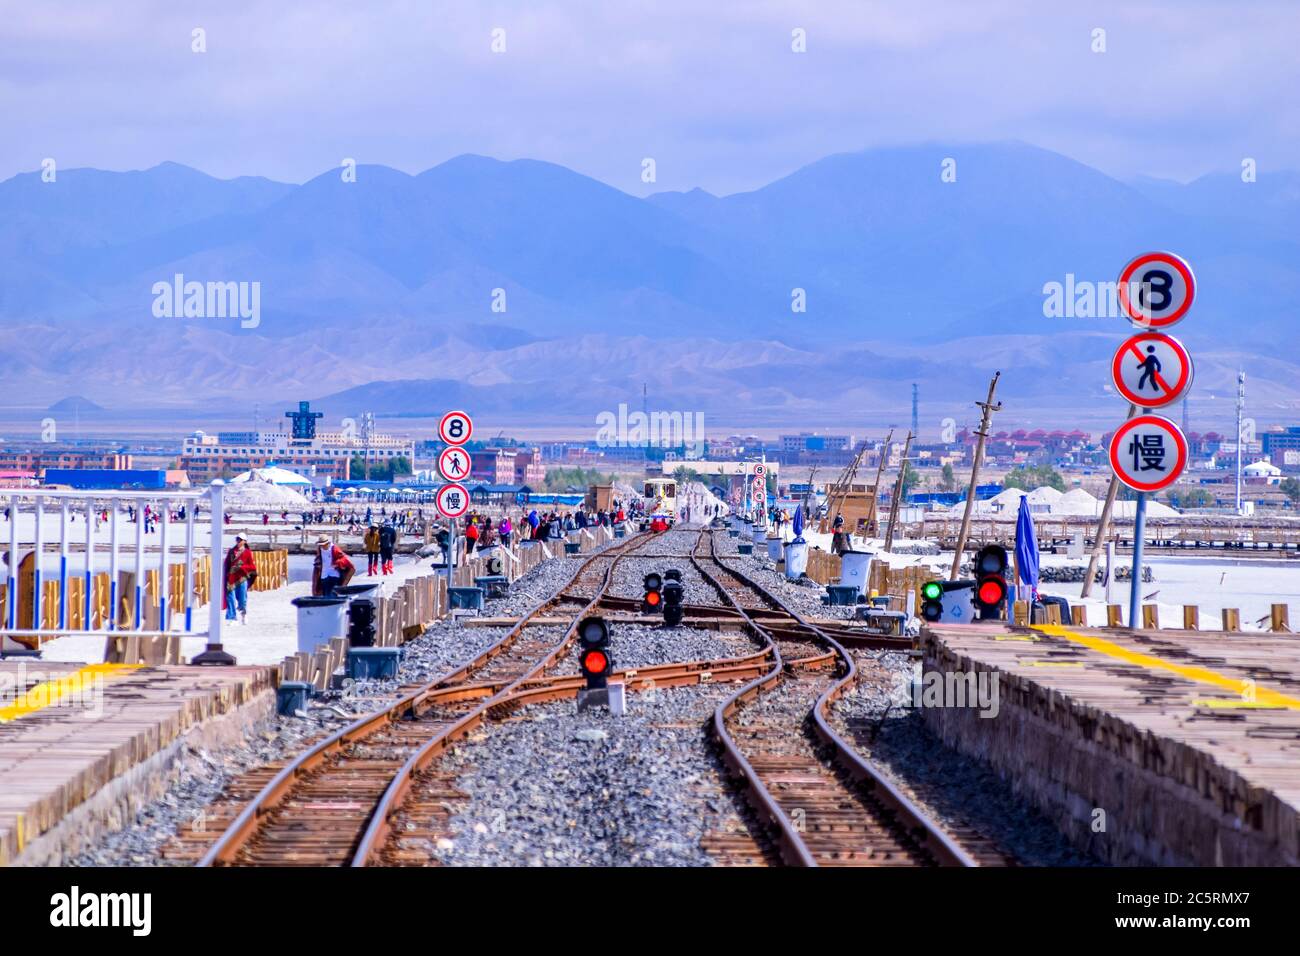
{"x":1146,"y":747}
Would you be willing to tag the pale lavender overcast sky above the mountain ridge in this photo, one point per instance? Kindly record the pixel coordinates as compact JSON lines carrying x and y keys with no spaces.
{"x":710,"y":89}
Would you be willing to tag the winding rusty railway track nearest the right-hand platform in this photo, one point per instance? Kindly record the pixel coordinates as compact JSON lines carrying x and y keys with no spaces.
{"x":826,"y":804}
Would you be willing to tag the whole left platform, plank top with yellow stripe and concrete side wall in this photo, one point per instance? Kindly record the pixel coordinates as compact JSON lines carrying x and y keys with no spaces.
{"x":83,"y":747}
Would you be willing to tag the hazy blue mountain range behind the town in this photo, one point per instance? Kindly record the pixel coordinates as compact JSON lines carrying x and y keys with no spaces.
{"x":530,"y":292}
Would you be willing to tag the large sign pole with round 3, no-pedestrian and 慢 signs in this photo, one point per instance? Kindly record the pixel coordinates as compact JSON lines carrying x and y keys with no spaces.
{"x":1151,"y":370}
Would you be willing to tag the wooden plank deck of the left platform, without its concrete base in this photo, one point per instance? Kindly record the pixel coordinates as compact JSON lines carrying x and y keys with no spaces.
{"x":64,"y":736}
